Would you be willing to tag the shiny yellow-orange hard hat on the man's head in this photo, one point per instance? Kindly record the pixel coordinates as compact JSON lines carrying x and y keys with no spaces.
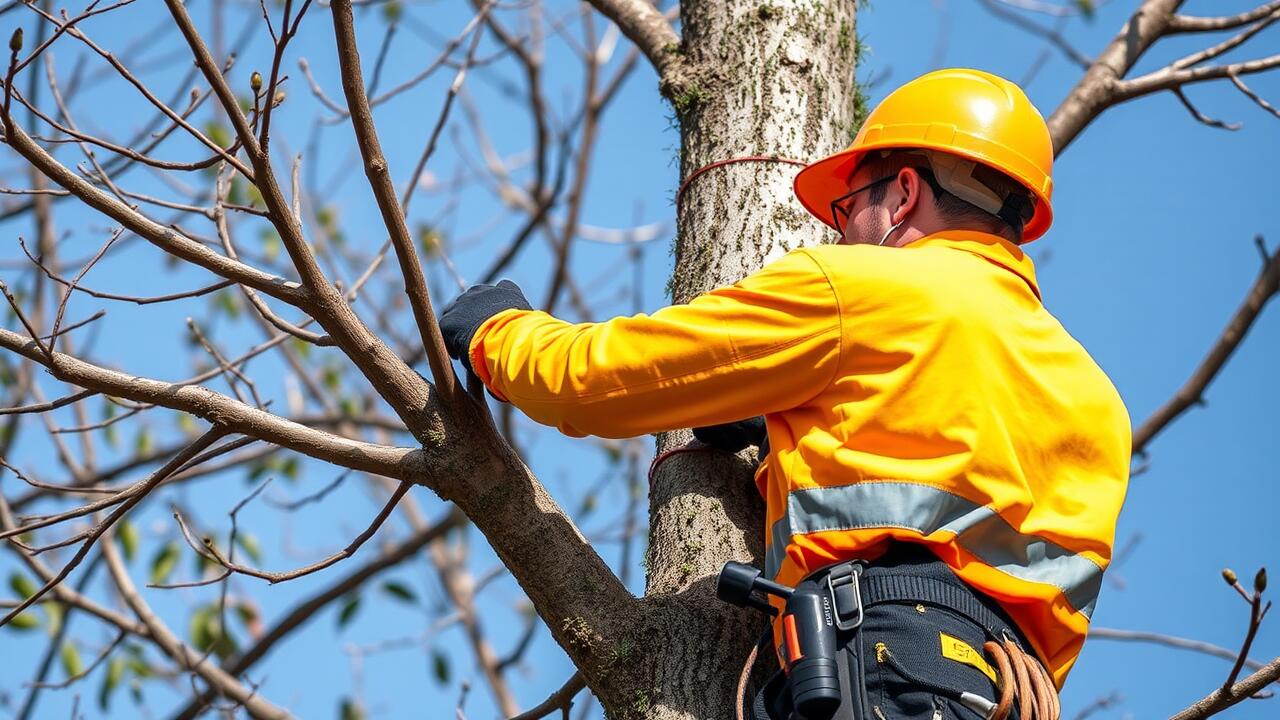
{"x":962,"y":112}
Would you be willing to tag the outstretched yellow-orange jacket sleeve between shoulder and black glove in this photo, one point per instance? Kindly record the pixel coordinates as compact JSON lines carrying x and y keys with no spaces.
{"x":764,"y":345}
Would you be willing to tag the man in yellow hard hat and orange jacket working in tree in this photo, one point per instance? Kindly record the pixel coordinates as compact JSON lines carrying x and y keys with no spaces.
{"x":930,"y":423}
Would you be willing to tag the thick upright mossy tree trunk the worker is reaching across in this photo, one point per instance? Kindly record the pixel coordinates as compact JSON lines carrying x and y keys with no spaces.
{"x":772,"y":80}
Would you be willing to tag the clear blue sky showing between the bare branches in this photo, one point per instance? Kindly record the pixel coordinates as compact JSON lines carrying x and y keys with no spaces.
{"x":1151,"y":253}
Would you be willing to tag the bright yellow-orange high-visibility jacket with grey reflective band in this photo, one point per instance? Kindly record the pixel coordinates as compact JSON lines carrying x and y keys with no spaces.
{"x":920,"y":394}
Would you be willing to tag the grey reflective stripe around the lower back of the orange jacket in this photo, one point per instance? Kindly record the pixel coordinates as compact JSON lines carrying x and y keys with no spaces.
{"x":927,"y":511}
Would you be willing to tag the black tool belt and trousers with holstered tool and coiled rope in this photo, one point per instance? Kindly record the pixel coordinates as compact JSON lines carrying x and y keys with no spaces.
{"x":828,"y":659}
